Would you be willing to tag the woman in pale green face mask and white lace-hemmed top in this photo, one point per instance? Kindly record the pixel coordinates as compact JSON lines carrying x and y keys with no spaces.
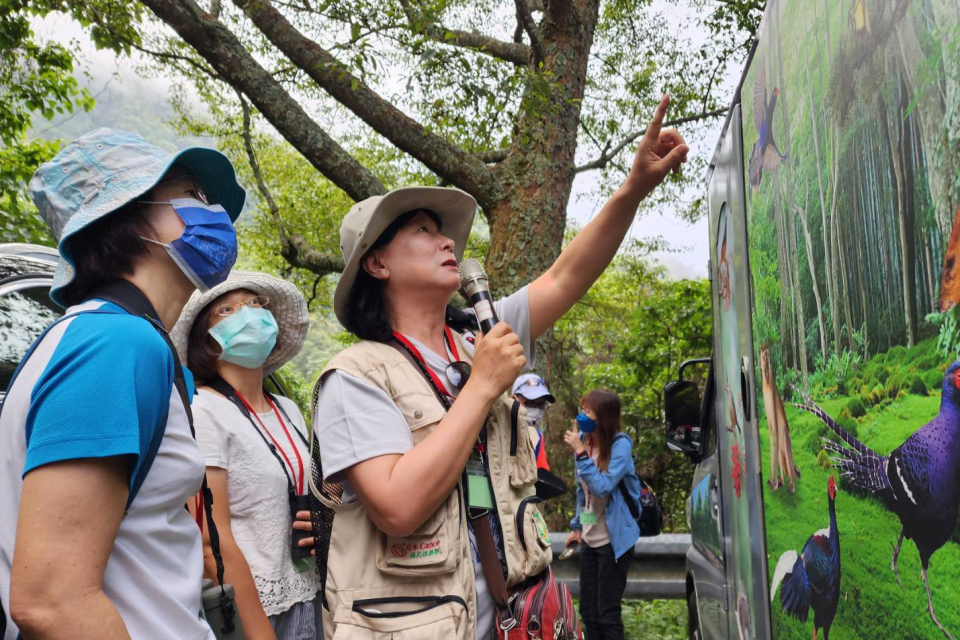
{"x":255,"y":448}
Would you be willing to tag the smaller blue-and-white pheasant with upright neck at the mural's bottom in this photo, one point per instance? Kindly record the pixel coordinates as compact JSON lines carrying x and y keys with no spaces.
{"x":811,"y":580}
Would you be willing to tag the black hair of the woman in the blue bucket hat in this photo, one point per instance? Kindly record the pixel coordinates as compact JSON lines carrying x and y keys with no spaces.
{"x":104,"y":251}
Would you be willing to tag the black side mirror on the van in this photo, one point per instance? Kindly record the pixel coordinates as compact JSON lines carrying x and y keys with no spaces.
{"x":683,"y":412}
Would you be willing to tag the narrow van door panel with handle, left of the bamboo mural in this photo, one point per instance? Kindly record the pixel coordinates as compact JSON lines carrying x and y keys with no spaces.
{"x":738,"y":457}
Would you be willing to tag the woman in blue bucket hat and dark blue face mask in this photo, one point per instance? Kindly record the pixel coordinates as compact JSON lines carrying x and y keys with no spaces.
{"x":96,"y":454}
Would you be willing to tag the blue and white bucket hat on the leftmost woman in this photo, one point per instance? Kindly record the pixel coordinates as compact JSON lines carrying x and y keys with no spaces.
{"x":101,"y":171}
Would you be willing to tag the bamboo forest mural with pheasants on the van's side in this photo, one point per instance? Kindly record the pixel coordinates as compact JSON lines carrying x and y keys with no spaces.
{"x":851,"y":120}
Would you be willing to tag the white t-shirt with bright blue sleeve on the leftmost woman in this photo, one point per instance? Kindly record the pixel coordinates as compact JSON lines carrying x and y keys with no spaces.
{"x":98,"y":385}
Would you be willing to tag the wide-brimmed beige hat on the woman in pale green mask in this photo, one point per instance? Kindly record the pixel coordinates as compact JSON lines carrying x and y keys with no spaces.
{"x":287,"y":304}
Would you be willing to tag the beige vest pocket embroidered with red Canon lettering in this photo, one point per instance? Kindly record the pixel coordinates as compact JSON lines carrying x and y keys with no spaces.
{"x":434,"y":548}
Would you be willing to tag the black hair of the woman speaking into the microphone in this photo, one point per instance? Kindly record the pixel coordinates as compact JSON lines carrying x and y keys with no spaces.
{"x":367,"y":316}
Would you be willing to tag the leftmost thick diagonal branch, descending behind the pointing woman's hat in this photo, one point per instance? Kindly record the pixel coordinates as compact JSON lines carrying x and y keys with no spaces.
{"x":224,"y":52}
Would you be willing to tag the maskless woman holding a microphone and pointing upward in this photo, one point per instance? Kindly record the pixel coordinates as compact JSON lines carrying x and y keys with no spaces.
{"x":431,"y":489}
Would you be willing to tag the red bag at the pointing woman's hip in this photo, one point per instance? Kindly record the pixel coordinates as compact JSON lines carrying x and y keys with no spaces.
{"x":542,"y":610}
